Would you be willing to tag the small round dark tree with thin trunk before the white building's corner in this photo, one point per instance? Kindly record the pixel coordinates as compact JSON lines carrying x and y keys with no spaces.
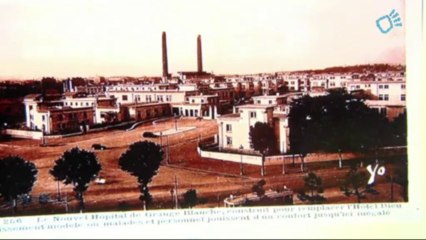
{"x":263,"y":139}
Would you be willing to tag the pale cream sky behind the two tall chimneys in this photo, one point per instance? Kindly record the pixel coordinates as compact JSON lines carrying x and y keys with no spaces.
{"x":110,"y":38}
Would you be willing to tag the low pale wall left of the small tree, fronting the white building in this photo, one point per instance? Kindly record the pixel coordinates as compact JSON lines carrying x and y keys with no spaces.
{"x":231,"y":157}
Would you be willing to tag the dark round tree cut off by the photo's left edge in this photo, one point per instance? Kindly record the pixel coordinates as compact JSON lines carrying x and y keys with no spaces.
{"x":17,"y":177}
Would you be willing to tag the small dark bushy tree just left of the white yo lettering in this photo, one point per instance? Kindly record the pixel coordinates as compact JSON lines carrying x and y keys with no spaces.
{"x":354,"y":183}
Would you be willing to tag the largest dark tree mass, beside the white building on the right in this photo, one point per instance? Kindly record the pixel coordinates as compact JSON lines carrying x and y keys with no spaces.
{"x":336,"y":122}
